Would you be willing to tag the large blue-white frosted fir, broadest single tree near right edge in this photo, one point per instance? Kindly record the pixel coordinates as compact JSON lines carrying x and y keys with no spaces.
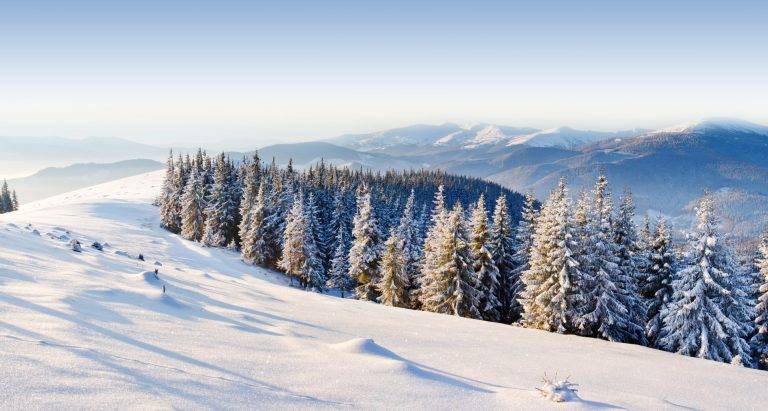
{"x":705,"y":317}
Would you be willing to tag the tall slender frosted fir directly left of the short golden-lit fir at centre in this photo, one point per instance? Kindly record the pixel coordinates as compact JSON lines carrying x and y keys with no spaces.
{"x":365,"y":252}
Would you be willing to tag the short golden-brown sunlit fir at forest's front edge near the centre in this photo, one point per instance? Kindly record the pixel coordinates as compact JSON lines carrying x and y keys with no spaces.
{"x":394,"y":285}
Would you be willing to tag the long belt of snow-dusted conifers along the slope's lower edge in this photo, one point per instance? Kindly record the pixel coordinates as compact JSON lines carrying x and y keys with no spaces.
{"x":455,"y":245}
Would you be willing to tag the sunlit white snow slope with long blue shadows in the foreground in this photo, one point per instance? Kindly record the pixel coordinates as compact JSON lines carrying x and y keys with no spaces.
{"x":95,"y":330}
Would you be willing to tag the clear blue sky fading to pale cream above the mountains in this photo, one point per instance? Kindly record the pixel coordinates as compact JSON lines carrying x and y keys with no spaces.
{"x":192,"y":71}
